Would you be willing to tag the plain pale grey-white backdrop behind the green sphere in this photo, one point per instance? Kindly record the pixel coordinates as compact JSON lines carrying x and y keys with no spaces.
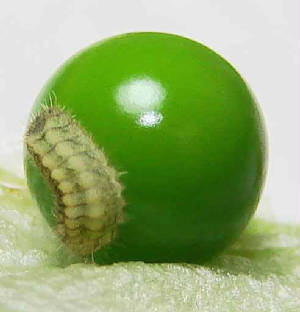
{"x":259,"y":37}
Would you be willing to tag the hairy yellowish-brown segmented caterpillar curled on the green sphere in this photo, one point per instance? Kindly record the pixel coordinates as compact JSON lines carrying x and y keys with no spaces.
{"x":88,"y":195}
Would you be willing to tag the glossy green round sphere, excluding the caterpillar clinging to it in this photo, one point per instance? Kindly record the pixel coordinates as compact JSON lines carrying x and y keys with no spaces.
{"x":184,"y":130}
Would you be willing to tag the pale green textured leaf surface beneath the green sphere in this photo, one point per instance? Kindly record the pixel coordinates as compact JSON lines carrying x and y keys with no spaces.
{"x":259,"y":273}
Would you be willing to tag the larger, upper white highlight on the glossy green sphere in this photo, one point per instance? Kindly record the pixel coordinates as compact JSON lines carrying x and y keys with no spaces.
{"x":140,"y":95}
